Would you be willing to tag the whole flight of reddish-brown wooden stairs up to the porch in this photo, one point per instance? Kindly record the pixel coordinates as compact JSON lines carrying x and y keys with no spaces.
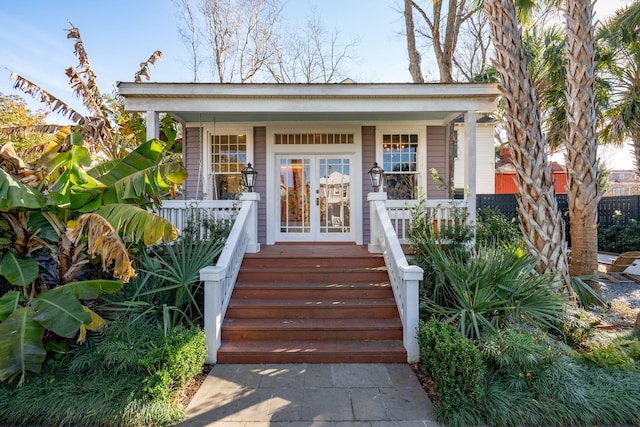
{"x":312,"y":304}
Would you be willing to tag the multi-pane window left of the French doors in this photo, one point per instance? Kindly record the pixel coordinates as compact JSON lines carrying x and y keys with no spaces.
{"x":228,"y":158}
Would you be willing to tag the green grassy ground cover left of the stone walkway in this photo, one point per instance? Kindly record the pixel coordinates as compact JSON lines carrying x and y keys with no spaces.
{"x":124,"y":377}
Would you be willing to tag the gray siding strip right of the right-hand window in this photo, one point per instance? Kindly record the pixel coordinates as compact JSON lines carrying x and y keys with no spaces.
{"x":438,"y":158}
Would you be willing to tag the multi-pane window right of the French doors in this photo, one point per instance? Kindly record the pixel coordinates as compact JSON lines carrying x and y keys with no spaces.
{"x":400,"y":164}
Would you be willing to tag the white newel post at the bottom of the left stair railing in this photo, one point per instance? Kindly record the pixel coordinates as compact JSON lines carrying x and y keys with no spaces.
{"x":214,"y":281}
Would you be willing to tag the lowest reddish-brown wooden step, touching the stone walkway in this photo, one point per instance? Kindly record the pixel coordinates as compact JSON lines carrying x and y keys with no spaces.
{"x":312,"y":352}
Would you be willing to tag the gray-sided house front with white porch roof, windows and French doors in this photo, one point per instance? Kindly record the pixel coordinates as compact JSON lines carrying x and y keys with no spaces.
{"x":298,"y":136}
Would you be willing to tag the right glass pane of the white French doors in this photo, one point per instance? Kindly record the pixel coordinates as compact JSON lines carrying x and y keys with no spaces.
{"x":334,"y":195}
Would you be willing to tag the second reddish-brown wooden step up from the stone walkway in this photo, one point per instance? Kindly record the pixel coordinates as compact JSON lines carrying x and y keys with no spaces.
{"x":320,"y":329}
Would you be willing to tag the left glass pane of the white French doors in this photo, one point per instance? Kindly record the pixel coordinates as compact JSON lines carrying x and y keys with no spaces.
{"x":295,"y":190}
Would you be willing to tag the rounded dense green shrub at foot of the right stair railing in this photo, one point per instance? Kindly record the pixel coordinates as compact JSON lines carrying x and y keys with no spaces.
{"x":456,"y":367}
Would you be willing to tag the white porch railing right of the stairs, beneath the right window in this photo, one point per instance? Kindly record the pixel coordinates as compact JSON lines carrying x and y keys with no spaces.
{"x":442,"y":213}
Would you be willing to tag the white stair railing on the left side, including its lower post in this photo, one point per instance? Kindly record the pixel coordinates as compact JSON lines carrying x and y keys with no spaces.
{"x":220,"y":279}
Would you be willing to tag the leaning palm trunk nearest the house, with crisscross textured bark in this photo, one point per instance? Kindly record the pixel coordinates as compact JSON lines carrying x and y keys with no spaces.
{"x":540,"y":219}
